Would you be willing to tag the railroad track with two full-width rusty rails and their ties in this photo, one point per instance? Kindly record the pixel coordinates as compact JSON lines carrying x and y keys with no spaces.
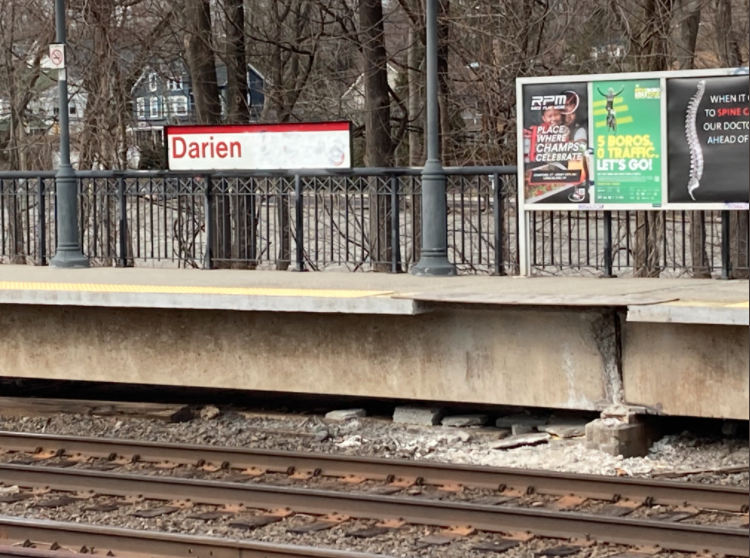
{"x":64,"y":471}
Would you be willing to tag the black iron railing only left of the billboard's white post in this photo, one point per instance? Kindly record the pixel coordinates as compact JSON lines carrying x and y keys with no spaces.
{"x":360,"y":220}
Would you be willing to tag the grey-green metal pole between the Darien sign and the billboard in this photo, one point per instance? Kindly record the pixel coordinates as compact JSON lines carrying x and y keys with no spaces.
{"x":434,"y":258}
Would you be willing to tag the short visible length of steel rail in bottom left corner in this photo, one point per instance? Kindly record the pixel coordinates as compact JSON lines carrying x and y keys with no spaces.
{"x":150,"y":543}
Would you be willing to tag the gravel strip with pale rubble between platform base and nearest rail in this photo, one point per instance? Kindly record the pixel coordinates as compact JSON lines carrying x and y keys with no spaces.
{"x":384,"y":439}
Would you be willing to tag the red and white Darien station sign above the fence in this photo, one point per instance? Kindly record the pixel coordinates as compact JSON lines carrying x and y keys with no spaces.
{"x":325,"y":145}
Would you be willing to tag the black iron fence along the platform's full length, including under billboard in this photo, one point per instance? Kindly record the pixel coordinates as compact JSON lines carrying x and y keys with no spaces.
{"x":361,"y":220}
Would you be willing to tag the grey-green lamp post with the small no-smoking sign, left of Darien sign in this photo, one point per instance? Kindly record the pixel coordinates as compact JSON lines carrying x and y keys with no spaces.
{"x":69,"y":252}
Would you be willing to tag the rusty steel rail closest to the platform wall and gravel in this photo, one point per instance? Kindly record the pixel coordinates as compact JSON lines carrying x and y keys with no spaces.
{"x":714,"y":497}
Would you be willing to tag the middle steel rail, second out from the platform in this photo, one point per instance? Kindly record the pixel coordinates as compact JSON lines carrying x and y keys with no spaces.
{"x":497,"y":519}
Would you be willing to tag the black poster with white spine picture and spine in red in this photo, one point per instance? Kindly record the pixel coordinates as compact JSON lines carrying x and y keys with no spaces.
{"x":708,"y":126}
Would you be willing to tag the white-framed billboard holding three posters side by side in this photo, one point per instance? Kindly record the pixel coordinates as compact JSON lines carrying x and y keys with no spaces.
{"x":659,"y":140}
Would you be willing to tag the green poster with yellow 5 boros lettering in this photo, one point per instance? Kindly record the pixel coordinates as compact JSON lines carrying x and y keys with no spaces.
{"x":627,"y":141}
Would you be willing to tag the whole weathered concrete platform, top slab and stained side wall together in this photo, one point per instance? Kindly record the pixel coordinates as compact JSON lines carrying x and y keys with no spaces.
{"x":677,"y":347}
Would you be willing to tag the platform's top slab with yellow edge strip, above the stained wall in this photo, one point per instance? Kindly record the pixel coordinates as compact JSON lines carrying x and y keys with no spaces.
{"x":647,"y":300}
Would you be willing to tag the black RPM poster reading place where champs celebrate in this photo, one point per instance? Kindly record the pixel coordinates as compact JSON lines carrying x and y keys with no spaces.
{"x":555,"y":141}
